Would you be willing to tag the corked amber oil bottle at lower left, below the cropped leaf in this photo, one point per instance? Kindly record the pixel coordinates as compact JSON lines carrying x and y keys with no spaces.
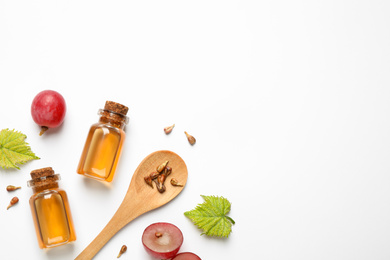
{"x":50,"y":209}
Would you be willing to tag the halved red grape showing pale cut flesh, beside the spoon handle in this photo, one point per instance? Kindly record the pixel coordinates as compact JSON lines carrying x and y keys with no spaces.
{"x":162,"y":240}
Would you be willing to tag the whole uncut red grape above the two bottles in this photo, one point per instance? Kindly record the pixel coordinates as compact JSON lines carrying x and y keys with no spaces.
{"x":48,"y":109}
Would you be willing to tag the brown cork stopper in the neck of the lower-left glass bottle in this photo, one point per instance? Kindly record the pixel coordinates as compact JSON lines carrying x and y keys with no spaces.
{"x":43,"y":178}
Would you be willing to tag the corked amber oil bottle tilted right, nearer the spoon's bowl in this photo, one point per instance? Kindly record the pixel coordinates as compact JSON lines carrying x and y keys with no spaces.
{"x":104,"y":142}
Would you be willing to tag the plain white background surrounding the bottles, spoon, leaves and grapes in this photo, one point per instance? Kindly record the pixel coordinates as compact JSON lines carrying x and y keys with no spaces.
{"x":289,"y":102}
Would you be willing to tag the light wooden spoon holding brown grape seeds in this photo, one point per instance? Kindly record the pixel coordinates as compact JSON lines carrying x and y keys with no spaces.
{"x":140,"y":197}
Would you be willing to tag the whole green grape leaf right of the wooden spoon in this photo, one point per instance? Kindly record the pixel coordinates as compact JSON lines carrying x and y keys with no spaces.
{"x":211,"y":216}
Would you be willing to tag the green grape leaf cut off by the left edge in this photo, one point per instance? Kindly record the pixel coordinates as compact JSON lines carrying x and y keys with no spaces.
{"x":13,"y":149}
